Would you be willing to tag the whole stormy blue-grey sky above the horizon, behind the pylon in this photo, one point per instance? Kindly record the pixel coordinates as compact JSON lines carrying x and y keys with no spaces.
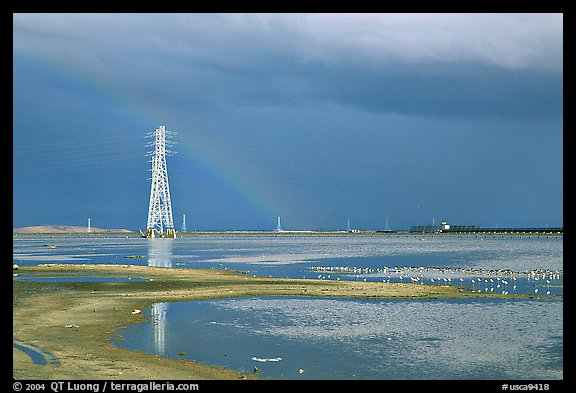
{"x":317,"y":118}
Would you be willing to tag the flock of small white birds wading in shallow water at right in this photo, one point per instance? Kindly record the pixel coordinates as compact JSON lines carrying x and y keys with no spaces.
{"x":479,"y":280}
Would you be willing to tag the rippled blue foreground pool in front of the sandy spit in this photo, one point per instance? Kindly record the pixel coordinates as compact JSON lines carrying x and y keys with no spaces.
{"x":314,"y":338}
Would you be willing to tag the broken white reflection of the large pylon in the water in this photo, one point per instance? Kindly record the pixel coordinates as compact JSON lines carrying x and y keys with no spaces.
{"x":160,"y":255}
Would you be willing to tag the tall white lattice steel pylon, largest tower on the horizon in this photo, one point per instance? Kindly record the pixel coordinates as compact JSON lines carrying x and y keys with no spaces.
{"x":160,"y":222}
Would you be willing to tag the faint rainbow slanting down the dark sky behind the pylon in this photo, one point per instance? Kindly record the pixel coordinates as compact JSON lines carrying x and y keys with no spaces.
{"x":245,"y":184}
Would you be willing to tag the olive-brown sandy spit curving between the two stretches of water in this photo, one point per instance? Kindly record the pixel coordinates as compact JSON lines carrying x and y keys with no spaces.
{"x":74,"y":321}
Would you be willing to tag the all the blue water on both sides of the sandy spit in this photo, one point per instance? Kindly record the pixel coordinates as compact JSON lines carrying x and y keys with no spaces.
{"x":304,"y":338}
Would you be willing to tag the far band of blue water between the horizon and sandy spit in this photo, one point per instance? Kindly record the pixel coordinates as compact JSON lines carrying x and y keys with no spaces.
{"x":514,"y":265}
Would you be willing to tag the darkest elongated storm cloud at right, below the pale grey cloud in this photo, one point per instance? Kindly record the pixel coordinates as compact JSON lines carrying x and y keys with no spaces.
{"x":485,"y":92}
